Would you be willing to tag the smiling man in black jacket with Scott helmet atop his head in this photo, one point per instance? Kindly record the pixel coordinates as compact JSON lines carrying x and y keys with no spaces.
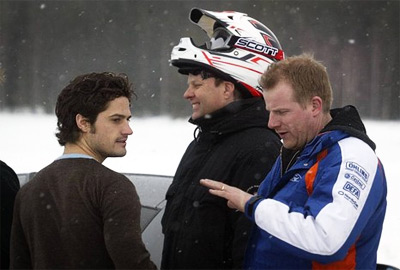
{"x":232,"y":141}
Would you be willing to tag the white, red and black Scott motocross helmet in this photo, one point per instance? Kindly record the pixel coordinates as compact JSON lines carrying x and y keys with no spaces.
{"x":239,"y":50}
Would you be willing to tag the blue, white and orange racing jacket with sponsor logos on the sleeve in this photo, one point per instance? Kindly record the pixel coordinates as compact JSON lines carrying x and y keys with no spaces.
{"x":329,"y":208}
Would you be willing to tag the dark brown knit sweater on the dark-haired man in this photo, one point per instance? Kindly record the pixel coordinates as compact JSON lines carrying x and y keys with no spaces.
{"x":78,"y":214}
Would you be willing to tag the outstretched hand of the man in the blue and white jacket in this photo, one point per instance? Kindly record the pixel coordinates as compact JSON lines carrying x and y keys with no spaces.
{"x":237,"y":198}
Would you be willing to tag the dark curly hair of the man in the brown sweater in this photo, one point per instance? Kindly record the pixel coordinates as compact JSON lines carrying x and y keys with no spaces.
{"x":88,"y":95}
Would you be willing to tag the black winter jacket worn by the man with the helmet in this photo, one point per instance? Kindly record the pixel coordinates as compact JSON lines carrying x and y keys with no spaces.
{"x":233,"y":145}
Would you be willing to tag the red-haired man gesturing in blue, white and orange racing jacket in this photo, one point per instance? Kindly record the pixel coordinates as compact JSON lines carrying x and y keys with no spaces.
{"x":323,"y":203}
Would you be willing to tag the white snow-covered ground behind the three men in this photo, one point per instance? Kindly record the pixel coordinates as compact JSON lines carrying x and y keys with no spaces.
{"x":27,"y":144}
